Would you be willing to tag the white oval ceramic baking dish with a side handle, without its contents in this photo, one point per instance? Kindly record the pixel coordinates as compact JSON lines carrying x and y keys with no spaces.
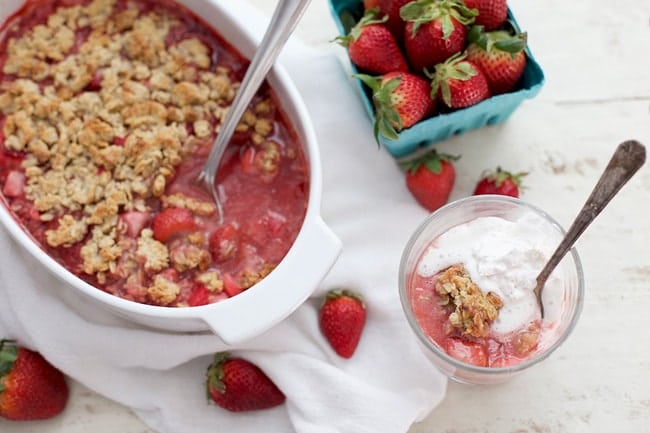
{"x":259,"y":308}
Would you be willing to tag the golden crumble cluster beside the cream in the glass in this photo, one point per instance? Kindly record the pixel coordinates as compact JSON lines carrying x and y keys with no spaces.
{"x":473,"y":310}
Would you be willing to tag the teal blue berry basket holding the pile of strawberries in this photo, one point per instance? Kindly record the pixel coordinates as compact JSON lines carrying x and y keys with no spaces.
{"x":422,"y":135}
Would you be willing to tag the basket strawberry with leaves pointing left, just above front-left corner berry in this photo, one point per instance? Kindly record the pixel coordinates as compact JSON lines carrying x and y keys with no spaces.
{"x":372,"y":47}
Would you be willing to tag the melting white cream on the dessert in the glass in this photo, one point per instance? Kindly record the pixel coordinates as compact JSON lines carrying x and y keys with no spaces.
{"x":501,"y":256}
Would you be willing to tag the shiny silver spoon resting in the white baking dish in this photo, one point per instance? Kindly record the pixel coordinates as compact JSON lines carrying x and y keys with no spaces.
{"x":285,"y":18}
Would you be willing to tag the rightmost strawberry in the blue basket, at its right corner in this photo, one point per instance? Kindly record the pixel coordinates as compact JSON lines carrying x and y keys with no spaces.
{"x":500,"y":55}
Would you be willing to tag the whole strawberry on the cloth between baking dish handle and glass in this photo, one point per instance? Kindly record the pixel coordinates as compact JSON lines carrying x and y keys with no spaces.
{"x":342,"y":317}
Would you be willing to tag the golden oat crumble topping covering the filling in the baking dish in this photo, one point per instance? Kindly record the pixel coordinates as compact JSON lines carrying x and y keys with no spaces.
{"x":99,"y":104}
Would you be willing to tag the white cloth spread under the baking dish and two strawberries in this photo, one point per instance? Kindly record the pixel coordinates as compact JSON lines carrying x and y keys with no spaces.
{"x":386,"y":386}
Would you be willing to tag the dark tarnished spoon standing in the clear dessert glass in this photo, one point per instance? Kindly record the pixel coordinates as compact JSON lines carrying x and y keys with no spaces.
{"x":626,"y":160}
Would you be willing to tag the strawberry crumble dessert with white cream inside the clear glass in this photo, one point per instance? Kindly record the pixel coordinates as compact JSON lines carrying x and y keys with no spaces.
{"x":472,"y":290}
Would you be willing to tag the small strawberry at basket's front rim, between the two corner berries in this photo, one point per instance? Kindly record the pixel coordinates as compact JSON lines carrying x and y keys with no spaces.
{"x":459,"y":83}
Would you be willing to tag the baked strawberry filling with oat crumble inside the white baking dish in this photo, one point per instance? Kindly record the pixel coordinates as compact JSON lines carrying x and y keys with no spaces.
{"x":108,"y":109}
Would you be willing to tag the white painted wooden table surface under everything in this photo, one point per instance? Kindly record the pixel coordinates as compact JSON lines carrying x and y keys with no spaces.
{"x":596,"y":56}
